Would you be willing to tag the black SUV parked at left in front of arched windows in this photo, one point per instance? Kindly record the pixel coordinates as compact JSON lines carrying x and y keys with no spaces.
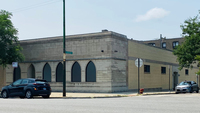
{"x":28,"y":88}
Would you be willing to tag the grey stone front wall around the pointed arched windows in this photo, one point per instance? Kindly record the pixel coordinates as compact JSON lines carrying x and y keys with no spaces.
{"x":107,"y":50}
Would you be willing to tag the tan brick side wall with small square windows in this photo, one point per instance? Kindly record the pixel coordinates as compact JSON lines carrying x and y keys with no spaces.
{"x":156,"y":58}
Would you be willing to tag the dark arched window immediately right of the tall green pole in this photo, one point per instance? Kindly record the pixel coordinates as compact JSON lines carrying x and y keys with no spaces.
{"x":76,"y":72}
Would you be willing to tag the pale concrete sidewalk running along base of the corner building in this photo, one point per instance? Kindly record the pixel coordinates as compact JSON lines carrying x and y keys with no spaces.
{"x":105,"y":95}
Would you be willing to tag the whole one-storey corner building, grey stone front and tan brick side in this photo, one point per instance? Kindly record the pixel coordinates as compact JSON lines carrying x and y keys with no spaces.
{"x":101,"y":62}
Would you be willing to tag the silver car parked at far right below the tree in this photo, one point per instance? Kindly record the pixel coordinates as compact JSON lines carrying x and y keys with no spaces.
{"x":187,"y":86}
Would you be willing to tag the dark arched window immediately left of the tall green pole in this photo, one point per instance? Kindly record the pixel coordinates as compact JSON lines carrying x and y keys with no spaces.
{"x":59,"y":72}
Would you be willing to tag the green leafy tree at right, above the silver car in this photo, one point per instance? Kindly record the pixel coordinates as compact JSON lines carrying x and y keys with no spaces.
{"x":190,"y":48}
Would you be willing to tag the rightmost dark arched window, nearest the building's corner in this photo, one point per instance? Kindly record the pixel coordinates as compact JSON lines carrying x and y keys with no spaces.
{"x":90,"y":72}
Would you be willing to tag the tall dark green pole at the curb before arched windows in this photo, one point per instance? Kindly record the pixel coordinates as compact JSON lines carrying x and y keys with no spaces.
{"x":64,"y":55}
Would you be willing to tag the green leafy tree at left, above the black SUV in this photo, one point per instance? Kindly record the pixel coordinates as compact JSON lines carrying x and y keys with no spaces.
{"x":10,"y":50}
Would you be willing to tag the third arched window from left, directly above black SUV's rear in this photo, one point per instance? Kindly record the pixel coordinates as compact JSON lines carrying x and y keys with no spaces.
{"x":47,"y":72}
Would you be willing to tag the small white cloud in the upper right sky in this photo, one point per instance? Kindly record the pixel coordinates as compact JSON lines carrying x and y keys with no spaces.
{"x":154,"y":13}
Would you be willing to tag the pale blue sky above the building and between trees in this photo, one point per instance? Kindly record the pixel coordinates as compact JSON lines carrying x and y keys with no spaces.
{"x":137,"y":19}
